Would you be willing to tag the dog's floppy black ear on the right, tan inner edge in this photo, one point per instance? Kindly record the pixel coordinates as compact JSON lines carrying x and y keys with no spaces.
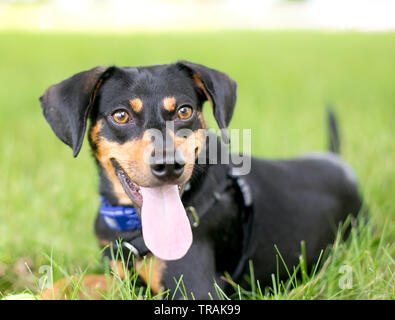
{"x":218,"y":88}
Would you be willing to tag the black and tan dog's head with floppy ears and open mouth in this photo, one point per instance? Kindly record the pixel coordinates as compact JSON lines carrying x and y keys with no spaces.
{"x":147,"y":128}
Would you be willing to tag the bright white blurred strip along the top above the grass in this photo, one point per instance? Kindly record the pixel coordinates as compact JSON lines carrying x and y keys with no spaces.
{"x":151,"y":15}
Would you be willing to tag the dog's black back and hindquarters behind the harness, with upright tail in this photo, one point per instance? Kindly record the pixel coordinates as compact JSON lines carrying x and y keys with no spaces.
{"x":301,"y":199}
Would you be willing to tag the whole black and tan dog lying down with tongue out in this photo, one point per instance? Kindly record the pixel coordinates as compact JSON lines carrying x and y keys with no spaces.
{"x":279,"y":202}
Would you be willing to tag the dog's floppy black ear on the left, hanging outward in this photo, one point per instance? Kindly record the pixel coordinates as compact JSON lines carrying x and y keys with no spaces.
{"x":66,"y":105}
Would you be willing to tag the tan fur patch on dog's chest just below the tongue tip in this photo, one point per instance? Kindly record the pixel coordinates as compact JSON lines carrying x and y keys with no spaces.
{"x":151,"y":271}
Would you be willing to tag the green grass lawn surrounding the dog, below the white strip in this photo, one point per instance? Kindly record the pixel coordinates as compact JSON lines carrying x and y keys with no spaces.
{"x":48,"y":200}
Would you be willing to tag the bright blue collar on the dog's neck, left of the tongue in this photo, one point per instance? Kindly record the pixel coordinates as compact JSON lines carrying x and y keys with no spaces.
{"x":120,"y":218}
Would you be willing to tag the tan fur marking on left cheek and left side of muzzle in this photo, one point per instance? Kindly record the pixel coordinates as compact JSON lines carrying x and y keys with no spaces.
{"x":131,"y":155}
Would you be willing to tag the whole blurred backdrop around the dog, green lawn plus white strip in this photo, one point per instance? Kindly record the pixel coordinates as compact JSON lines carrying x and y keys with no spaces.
{"x":289,"y":58}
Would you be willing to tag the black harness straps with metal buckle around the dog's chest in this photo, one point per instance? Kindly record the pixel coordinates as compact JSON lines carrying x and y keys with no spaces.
{"x":133,"y":242}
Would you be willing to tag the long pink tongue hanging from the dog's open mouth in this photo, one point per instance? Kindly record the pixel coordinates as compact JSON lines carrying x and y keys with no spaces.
{"x":166,"y":228}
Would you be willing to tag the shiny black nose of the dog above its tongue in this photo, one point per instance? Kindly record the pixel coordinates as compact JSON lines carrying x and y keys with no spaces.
{"x":168,"y":167}
